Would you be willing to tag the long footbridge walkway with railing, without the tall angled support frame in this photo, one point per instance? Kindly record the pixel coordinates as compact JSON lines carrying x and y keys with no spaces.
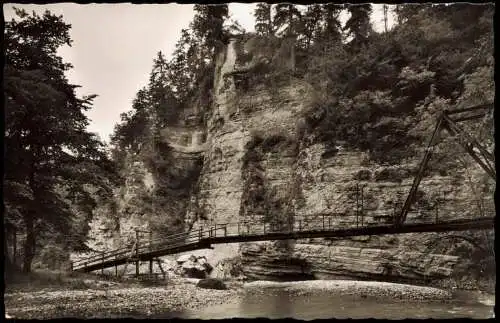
{"x":247,"y":232}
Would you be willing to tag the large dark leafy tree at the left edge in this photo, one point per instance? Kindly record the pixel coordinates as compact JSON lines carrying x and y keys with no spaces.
{"x":55,"y":170}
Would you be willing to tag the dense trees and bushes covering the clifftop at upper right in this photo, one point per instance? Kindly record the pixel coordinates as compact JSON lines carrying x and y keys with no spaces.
{"x":381,"y":92}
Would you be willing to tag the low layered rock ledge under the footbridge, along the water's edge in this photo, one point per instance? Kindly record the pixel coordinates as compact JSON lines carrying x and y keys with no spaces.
{"x":308,"y":260}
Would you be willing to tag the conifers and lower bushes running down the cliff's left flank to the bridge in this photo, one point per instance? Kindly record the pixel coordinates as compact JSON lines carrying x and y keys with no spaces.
{"x":176,"y":87}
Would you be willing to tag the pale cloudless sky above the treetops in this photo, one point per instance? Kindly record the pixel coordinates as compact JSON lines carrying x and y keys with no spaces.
{"x":114,"y":46}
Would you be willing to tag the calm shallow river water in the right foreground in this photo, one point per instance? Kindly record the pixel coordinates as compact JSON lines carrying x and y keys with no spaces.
{"x":279,"y":303}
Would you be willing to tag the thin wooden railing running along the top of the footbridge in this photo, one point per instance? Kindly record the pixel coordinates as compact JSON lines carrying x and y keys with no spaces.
{"x":232,"y":229}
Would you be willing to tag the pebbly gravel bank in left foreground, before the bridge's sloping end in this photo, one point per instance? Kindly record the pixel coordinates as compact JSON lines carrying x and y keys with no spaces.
{"x":113,"y":302}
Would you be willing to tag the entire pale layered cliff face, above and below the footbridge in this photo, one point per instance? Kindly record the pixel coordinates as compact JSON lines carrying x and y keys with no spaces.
{"x":259,"y":164}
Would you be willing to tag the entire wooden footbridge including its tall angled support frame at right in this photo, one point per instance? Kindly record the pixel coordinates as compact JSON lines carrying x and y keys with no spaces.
{"x":323,"y":226}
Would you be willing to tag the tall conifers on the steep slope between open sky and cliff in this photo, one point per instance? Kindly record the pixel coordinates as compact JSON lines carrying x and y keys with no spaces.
{"x":183,"y":81}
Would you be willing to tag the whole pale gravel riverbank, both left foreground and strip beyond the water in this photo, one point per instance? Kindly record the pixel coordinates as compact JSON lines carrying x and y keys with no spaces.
{"x":118,"y":300}
